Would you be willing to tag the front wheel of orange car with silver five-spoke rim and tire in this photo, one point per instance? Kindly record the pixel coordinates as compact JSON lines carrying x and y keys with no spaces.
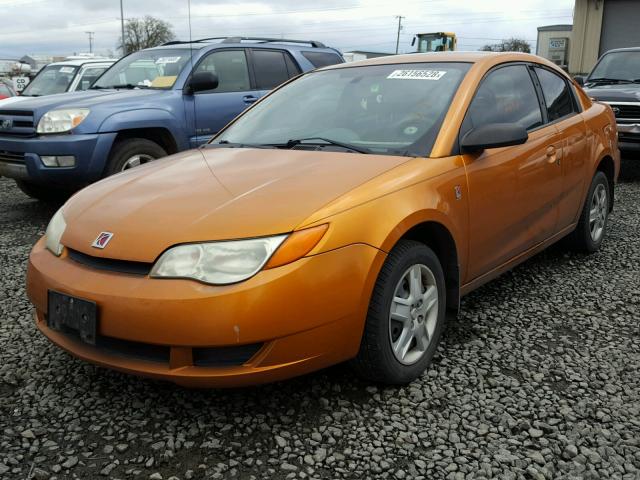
{"x":406,"y":316}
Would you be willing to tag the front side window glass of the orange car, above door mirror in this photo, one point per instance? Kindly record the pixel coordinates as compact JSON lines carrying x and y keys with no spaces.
{"x":506,"y":95}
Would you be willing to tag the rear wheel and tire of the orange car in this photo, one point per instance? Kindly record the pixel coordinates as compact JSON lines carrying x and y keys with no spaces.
{"x":592,"y":225}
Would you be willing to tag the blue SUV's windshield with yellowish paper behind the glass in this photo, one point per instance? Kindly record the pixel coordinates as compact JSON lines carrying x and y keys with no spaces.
{"x":145,"y":69}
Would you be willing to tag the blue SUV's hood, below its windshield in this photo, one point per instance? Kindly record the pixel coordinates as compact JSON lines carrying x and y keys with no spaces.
{"x":89,"y":99}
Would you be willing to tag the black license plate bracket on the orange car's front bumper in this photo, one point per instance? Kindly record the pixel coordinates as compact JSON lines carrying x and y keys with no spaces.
{"x":68,"y":313}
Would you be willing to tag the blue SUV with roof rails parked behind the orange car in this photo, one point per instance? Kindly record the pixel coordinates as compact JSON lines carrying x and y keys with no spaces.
{"x":150,"y":104}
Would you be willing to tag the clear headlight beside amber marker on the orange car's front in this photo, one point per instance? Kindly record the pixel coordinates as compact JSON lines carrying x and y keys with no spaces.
{"x":217,"y":263}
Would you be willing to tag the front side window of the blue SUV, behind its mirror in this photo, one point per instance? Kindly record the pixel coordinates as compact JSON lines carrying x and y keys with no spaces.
{"x":230,"y":66}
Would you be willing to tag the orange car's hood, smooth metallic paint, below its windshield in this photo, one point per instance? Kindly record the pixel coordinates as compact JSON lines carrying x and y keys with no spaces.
{"x":212,"y":194}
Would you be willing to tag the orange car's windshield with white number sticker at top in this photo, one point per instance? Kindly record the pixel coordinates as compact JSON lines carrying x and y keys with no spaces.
{"x":388,"y":109}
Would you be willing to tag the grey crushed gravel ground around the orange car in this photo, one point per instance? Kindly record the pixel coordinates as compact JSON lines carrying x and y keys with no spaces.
{"x":537,"y":378}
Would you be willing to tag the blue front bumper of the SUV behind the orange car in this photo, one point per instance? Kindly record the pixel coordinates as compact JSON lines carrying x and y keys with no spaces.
{"x":20,"y":158}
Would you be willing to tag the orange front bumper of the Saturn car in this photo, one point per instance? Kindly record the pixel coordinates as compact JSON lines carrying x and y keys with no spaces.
{"x":306,"y":315}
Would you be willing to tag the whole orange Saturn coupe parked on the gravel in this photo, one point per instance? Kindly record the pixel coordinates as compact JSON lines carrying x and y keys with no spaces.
{"x":337,"y":219}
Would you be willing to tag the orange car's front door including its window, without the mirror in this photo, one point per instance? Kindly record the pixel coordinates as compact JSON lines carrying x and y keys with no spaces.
{"x":513,"y":190}
